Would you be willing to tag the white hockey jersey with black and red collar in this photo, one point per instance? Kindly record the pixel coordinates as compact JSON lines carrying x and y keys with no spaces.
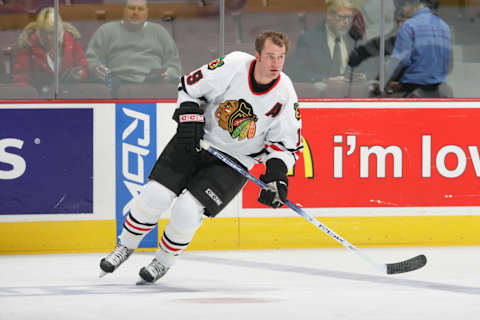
{"x":250,"y":126}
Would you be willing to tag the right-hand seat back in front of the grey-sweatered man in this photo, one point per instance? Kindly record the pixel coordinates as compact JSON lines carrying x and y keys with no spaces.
{"x":148,"y":91}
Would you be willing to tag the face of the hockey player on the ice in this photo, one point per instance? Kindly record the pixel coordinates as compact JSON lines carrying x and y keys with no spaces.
{"x":269,"y":62}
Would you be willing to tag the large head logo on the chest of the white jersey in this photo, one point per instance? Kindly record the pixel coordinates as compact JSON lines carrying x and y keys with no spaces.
{"x":236,"y":116}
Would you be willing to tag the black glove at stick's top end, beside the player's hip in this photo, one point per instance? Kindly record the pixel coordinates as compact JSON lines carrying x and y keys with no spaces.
{"x":190,"y":121}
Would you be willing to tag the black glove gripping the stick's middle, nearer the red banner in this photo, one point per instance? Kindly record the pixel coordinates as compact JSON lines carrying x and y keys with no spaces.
{"x":277,"y":184}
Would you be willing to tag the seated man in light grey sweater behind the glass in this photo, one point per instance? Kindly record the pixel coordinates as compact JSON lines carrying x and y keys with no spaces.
{"x":133,"y":50}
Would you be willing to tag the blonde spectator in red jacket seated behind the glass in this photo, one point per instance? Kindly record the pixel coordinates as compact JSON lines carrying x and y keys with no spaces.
{"x":34,"y":63}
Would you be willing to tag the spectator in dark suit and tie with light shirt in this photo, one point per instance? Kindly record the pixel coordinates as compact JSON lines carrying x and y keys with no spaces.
{"x":321,"y":54}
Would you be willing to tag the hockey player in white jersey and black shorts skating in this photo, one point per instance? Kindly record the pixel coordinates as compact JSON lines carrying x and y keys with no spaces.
{"x":244,"y":106}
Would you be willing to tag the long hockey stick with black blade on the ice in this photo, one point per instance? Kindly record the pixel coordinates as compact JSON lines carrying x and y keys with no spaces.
{"x":389,"y":268}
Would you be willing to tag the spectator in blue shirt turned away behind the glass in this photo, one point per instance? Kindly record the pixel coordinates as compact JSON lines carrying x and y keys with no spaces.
{"x":420,"y":60}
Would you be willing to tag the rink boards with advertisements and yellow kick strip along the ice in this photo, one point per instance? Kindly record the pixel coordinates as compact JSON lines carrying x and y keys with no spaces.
{"x":378,"y":173}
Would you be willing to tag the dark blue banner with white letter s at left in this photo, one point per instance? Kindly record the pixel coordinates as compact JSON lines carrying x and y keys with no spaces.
{"x":46,"y":161}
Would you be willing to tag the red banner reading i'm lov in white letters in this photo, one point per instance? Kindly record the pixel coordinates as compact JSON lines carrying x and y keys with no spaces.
{"x":391,"y":157}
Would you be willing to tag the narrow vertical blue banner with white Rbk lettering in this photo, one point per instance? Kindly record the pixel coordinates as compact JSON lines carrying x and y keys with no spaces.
{"x":136,"y":132}
